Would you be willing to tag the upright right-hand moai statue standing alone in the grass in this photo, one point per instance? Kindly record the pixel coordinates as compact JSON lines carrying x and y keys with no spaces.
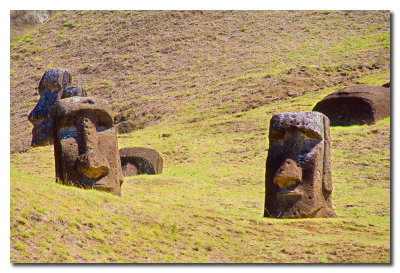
{"x":298,"y":180}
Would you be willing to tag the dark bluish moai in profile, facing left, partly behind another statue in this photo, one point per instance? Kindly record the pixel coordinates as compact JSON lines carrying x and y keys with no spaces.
{"x":53,"y":81}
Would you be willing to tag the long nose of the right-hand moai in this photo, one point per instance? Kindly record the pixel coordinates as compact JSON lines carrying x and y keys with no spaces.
{"x":289,"y":173}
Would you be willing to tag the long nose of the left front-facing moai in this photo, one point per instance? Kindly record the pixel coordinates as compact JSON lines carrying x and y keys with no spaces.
{"x":91,"y":163}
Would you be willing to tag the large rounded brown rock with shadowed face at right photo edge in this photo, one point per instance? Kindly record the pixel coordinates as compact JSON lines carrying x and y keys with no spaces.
{"x":361,"y":104}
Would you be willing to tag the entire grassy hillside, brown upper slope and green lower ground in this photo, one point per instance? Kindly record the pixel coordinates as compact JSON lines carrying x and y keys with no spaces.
{"x":212,"y":81}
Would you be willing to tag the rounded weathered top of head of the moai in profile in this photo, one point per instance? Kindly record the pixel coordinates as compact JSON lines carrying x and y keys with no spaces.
{"x":54,"y":80}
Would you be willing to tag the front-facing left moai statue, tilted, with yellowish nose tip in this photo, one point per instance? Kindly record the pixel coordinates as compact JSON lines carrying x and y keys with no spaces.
{"x":85,"y":144}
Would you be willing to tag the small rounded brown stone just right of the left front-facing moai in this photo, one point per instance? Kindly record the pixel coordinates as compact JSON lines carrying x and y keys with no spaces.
{"x":145,"y":161}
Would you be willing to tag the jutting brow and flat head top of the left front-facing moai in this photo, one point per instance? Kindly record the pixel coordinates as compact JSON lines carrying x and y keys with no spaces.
{"x":69,"y":109}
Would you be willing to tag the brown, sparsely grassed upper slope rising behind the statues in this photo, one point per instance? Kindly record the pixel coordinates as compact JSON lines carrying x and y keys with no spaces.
{"x":149,"y":64}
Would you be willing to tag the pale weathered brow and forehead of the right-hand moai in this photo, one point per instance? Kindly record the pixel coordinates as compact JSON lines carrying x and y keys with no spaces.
{"x":309,"y":123}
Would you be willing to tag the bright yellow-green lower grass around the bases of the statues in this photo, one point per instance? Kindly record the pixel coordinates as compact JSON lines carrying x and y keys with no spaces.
{"x":207,"y":205}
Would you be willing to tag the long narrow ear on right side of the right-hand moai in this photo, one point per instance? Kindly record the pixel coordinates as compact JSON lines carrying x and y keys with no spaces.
{"x":327,"y":175}
